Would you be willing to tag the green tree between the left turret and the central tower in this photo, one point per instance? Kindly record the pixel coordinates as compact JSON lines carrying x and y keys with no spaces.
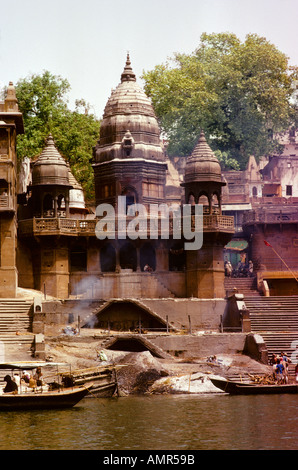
{"x":42,"y":100}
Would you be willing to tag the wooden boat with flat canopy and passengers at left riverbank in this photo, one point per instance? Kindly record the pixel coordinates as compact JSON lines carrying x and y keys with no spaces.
{"x":41,"y":397}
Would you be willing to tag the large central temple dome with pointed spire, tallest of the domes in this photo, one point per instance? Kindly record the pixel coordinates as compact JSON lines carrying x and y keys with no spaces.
{"x":128,"y":112}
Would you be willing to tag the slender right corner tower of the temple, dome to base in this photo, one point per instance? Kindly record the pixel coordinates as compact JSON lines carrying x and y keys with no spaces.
{"x":203,"y":184}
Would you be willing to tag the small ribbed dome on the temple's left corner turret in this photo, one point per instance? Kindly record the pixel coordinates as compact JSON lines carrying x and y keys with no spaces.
{"x":50,"y":168}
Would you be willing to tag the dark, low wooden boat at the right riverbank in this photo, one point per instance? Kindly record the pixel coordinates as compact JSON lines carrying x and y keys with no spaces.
{"x":242,"y":388}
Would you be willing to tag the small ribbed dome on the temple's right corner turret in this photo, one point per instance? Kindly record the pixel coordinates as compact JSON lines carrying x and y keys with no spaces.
{"x":202,"y":164}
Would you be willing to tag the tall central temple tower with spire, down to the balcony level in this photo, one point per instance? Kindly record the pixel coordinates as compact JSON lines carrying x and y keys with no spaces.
{"x":128,"y":158}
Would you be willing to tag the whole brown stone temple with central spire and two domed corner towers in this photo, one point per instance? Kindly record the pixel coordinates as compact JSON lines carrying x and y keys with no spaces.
{"x":60,"y":251}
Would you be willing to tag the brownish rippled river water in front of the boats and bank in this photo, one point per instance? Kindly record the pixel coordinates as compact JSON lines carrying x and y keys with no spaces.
{"x":175,"y":422}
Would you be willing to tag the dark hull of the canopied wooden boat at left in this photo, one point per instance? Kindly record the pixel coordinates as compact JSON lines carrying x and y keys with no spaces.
{"x":44,"y":400}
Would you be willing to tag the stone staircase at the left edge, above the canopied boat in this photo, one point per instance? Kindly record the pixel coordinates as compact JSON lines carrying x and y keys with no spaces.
{"x":16,"y":337}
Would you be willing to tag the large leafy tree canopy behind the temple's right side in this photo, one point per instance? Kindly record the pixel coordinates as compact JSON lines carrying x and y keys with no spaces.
{"x":238,"y":92}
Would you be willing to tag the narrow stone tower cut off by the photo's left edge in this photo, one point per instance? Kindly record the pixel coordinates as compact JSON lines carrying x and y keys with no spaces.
{"x":11,"y":124}
